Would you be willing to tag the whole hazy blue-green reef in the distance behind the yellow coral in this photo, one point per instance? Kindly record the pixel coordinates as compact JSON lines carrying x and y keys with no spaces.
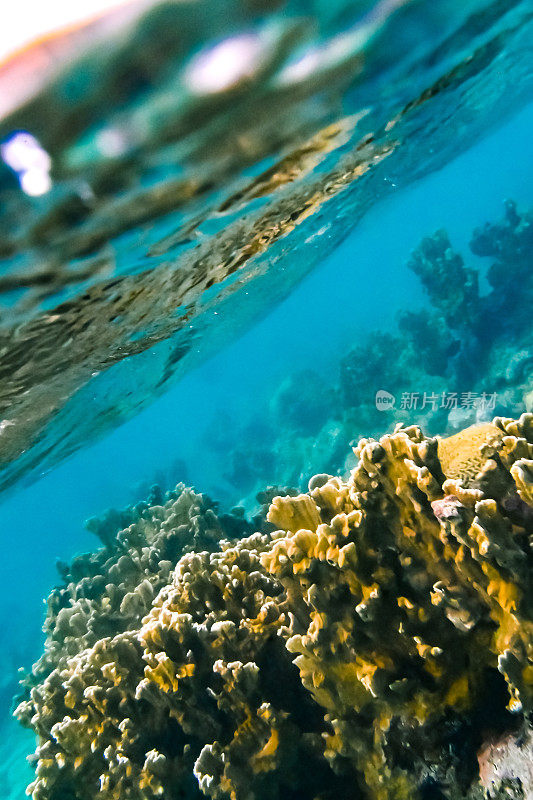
{"x":472,"y":345}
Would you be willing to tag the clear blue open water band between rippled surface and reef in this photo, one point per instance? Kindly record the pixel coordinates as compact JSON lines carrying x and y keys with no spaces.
{"x":221,"y":402}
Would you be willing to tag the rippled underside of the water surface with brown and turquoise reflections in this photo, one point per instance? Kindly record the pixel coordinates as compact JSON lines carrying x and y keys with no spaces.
{"x":176,"y":219}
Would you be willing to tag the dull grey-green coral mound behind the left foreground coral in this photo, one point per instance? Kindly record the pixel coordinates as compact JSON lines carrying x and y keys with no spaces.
{"x":108,"y":592}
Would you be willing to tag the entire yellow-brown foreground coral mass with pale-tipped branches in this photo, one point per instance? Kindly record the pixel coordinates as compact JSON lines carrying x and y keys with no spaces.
{"x":370,"y":647}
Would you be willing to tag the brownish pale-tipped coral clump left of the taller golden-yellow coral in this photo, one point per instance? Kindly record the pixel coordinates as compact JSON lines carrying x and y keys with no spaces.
{"x":203,"y":698}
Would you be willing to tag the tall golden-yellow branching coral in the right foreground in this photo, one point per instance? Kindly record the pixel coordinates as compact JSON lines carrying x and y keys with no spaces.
{"x":412,"y":587}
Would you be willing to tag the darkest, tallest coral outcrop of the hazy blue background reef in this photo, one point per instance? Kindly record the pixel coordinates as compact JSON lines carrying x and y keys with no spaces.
{"x":475,"y":342}
